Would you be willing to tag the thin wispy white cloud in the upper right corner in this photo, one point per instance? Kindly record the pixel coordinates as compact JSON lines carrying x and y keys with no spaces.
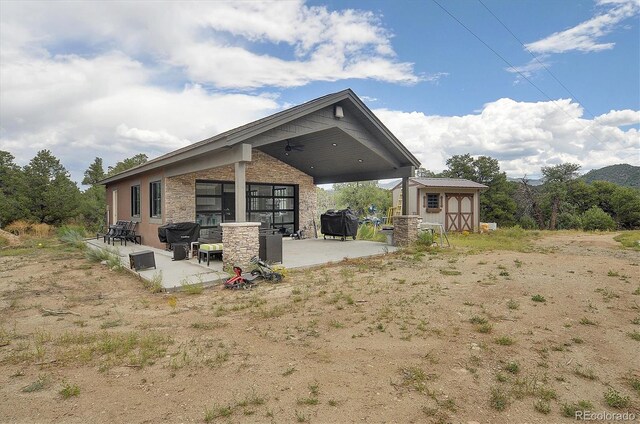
{"x":586,"y":36}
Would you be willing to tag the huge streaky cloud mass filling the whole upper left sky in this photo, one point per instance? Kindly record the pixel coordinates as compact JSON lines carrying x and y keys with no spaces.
{"x":113,"y":79}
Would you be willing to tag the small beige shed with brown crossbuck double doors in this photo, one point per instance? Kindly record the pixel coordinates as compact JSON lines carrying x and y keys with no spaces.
{"x":452,"y":202}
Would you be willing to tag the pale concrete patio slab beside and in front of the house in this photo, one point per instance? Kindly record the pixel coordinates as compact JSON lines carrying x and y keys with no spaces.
{"x":297,"y":254}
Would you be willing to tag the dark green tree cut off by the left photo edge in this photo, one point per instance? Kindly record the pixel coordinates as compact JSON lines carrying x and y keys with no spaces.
{"x":12,"y":190}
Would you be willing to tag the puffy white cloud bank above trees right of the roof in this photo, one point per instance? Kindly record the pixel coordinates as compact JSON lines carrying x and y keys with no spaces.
{"x":523,"y":136}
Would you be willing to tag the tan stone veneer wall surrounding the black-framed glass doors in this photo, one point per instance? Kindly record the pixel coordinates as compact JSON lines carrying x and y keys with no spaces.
{"x":180,"y":191}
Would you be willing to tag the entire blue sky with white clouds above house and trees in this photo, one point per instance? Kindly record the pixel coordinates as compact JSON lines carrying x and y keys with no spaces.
{"x":532,"y":83}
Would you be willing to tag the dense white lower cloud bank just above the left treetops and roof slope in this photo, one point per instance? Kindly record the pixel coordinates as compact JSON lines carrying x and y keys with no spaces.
{"x":106,"y":106}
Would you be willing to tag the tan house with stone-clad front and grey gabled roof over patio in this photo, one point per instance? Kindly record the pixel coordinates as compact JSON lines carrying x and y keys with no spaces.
{"x":263,"y":173}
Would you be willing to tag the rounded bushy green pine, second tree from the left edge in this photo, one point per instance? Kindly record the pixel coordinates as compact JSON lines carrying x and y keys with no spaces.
{"x":51,"y":196}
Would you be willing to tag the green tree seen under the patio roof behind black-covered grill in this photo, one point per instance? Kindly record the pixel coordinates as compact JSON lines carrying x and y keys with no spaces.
{"x":359,"y":196}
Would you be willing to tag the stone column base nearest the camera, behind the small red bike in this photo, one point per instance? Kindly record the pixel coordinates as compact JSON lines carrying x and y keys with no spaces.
{"x":240,"y":240}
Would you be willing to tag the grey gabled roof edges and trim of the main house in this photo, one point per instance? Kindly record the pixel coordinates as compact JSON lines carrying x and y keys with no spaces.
{"x":245,"y":132}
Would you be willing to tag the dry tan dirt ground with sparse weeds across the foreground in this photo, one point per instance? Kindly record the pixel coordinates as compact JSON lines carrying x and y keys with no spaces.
{"x":444,"y":336}
